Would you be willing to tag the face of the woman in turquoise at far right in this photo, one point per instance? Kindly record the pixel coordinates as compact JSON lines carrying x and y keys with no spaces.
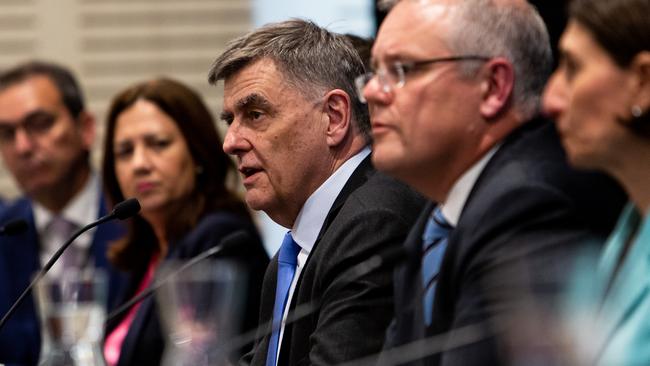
{"x":587,"y":95}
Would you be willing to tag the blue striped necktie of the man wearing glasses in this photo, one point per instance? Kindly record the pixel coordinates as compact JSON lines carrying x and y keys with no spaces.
{"x":434,"y":243}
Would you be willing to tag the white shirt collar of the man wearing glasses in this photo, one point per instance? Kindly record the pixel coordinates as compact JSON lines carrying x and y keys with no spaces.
{"x":453,"y":206}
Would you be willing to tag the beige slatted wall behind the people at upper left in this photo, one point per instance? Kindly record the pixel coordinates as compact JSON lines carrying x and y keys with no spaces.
{"x":111,"y":44}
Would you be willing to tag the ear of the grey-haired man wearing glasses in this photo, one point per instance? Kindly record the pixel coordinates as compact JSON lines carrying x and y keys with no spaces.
{"x":496,"y":86}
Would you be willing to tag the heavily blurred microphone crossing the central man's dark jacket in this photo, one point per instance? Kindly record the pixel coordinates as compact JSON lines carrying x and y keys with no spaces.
{"x":388,"y":257}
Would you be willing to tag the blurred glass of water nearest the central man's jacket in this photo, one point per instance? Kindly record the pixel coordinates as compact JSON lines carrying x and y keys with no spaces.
{"x":200,"y":311}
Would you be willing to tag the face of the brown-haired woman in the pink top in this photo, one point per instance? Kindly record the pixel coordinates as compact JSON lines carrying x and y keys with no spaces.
{"x":152,"y":160}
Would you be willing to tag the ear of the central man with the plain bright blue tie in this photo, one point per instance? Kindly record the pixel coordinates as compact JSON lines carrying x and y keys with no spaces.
{"x":338,"y":109}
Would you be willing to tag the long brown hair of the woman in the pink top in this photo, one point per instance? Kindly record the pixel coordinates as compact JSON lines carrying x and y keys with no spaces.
{"x":210,"y":193}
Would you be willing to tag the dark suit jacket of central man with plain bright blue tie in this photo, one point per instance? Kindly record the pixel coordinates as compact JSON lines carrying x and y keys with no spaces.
{"x":371,"y":214}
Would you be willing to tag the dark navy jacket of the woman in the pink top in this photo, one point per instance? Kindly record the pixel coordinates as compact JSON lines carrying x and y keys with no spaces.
{"x":144,"y":343}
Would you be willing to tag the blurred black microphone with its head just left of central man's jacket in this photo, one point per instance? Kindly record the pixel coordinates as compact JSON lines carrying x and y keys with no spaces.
{"x":235,"y":239}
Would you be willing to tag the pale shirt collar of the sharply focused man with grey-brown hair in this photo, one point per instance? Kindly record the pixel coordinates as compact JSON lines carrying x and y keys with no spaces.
{"x":312,"y":215}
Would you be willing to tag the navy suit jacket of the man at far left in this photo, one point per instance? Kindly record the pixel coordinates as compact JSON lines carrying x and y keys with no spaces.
{"x":19,"y":259}
